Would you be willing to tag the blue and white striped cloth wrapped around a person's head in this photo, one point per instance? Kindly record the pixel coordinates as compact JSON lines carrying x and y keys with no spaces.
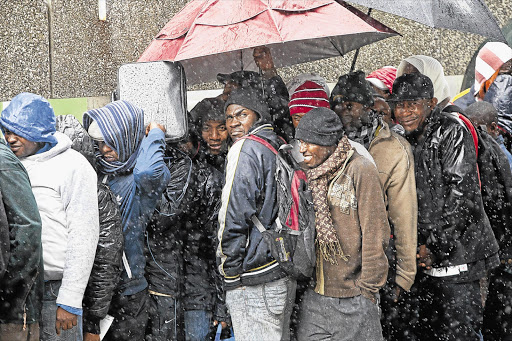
{"x":122,"y":126}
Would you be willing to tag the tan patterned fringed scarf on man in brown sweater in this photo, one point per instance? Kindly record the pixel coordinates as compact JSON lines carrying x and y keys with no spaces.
{"x":327,"y":241}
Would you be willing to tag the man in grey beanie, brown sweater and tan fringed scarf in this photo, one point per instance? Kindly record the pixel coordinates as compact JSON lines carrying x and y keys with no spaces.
{"x":352,"y":235}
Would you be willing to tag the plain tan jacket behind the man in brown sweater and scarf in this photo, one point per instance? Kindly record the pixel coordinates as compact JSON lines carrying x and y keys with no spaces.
{"x":395,"y":163}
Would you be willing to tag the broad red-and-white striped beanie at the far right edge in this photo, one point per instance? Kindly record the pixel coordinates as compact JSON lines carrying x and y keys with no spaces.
{"x":488,"y":62}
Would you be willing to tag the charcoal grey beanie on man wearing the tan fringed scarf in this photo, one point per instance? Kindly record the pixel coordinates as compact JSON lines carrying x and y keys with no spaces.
{"x":320,"y":126}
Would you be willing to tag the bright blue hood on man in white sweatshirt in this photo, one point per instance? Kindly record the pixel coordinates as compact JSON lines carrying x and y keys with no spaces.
{"x":31,"y":117}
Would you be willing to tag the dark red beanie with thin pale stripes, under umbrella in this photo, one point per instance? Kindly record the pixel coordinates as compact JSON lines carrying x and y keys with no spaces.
{"x":307,"y":96}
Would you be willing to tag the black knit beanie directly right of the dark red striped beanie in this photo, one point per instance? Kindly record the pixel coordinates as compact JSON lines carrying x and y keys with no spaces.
{"x":352,"y":87}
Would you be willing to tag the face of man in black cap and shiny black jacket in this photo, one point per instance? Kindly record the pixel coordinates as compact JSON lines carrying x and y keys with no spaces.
{"x":412,"y":114}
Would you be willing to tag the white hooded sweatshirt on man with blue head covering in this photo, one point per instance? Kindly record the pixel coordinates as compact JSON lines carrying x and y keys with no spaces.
{"x":64,"y":185}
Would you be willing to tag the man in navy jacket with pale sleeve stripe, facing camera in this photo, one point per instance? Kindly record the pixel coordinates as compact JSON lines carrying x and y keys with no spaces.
{"x":250,"y":273}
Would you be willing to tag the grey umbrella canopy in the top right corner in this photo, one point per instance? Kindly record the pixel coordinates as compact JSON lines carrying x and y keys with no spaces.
{"x":471,"y":16}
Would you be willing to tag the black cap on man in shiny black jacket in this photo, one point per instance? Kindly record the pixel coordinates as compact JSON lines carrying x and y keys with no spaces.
{"x":411,"y":87}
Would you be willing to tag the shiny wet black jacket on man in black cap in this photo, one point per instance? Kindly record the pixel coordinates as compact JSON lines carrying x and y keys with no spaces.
{"x":451,"y":220}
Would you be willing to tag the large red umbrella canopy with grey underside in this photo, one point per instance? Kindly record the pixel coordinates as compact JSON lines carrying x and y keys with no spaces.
{"x":212,"y":36}
